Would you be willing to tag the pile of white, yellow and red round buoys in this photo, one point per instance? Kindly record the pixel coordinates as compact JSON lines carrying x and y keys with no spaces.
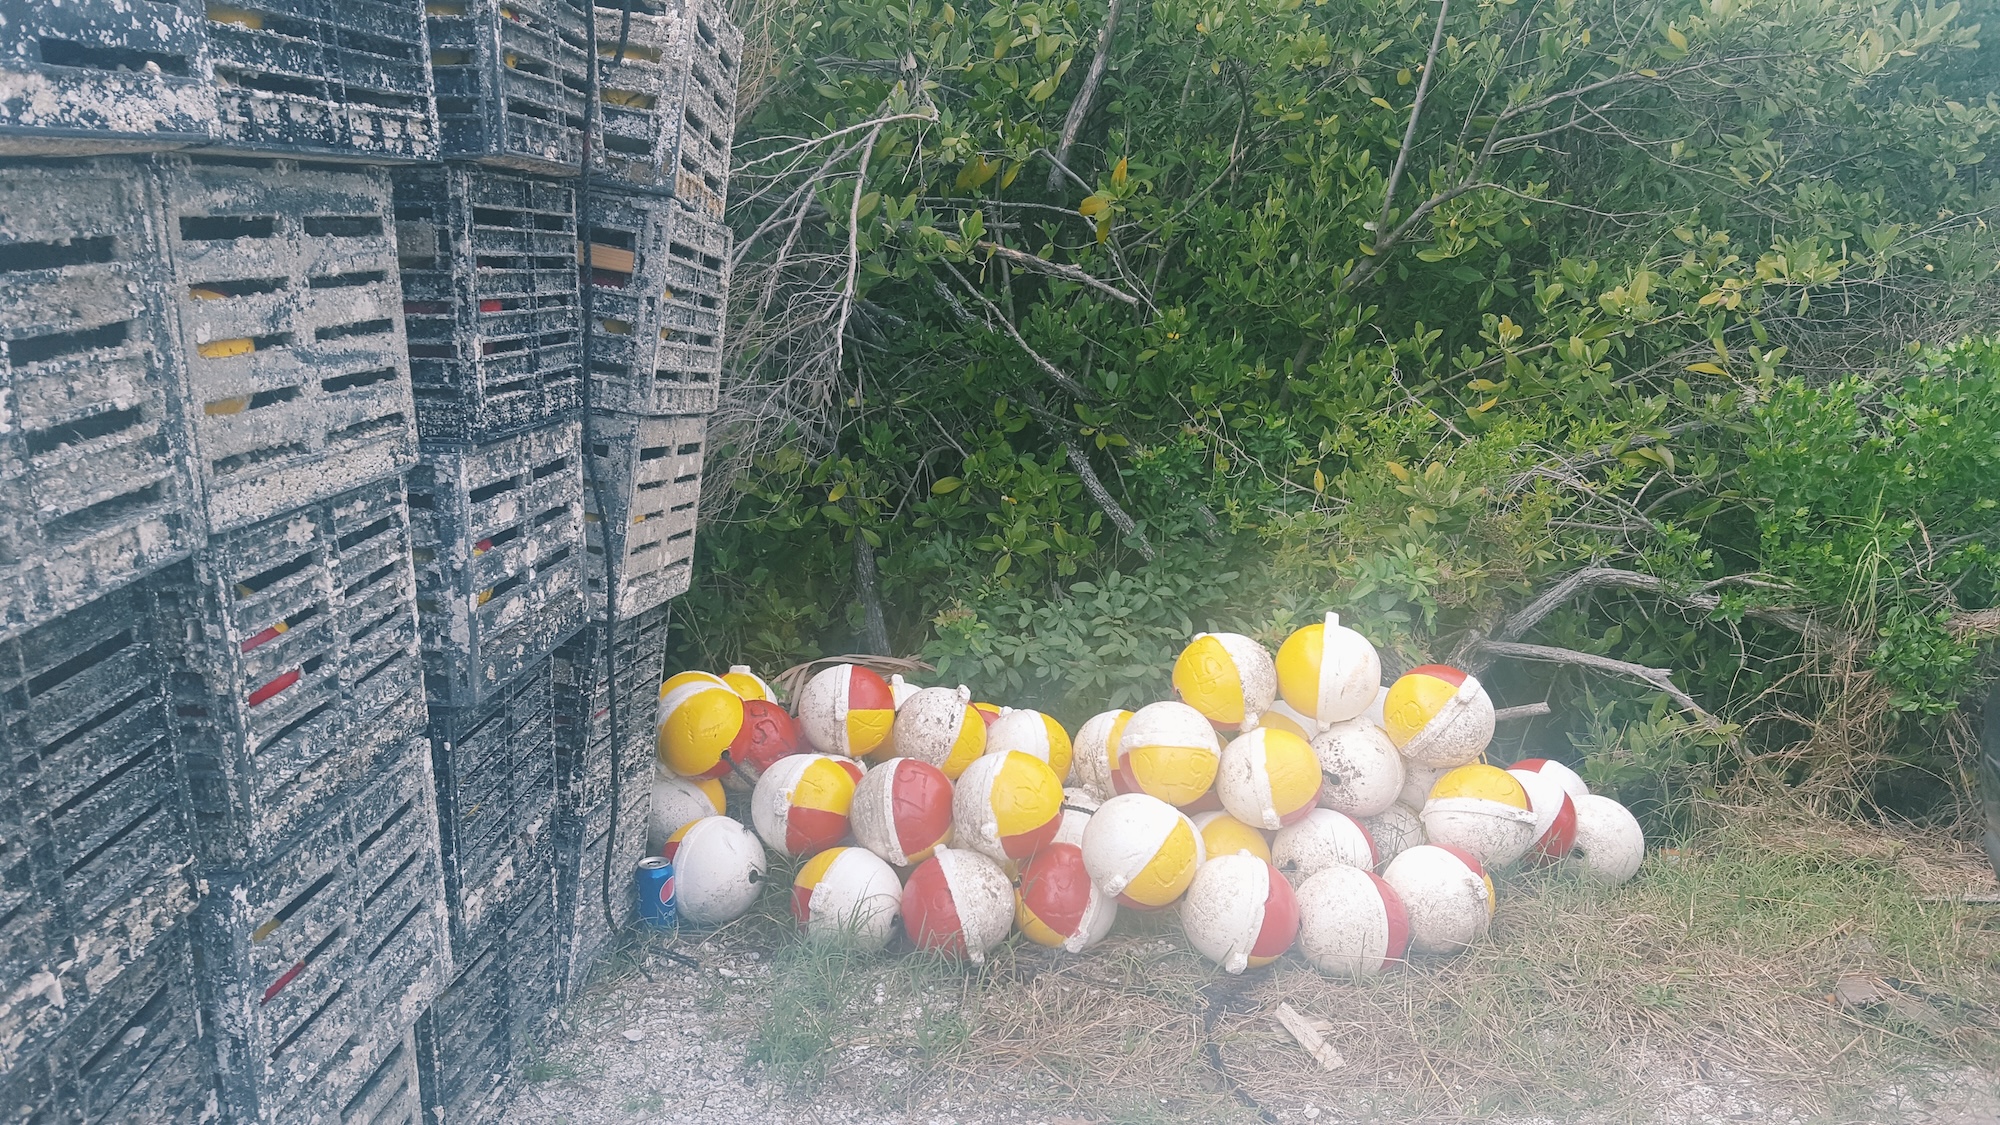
{"x":1283,"y":802}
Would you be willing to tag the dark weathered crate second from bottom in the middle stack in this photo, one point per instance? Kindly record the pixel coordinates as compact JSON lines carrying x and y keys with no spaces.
{"x":497,"y":798}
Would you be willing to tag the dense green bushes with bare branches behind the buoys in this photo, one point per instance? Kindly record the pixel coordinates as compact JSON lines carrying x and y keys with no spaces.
{"x":1391,"y":307}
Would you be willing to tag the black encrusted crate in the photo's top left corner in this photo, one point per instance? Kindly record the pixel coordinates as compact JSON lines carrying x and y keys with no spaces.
{"x":83,"y":77}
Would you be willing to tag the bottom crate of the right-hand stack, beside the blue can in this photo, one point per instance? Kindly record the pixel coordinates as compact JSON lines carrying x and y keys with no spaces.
{"x":581,"y":858}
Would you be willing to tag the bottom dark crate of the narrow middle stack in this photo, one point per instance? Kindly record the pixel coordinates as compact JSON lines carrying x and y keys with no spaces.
{"x":493,"y":1016}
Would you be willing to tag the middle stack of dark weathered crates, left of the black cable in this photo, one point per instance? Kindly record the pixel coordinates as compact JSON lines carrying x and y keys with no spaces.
{"x":491,"y":297}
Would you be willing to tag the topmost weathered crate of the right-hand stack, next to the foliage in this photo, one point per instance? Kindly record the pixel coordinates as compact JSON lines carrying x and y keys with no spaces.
{"x":669,"y":101}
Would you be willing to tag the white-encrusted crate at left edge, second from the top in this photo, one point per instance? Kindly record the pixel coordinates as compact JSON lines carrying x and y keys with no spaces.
{"x":91,"y":493}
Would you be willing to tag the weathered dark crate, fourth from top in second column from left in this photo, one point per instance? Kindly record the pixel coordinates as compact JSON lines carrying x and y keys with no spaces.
{"x":315,"y":964}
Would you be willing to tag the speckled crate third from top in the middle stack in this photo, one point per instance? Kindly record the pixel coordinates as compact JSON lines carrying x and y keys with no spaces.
{"x":499,"y":559}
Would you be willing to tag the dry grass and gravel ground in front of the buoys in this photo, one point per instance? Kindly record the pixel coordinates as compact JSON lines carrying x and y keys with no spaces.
{"x":1715,"y":970}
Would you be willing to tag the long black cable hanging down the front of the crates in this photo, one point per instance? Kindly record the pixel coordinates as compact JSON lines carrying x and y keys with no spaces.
{"x":587,"y":305}
